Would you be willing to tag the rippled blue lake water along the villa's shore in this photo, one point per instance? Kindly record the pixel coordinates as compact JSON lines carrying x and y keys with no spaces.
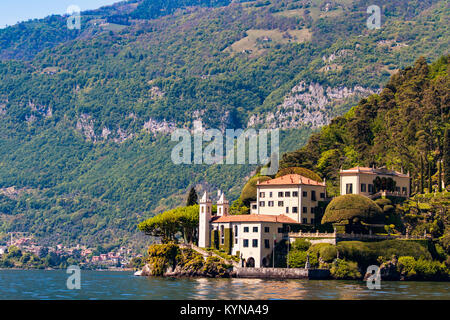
{"x":105,"y":285}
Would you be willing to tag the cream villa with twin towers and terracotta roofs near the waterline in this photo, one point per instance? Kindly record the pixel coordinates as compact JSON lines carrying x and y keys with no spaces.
{"x":281,"y":203}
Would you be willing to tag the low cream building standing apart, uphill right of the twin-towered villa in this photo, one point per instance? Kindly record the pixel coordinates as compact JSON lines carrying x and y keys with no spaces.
{"x":361,"y":180}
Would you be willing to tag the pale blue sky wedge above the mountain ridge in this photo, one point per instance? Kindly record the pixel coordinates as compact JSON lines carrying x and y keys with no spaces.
{"x":13,"y":11}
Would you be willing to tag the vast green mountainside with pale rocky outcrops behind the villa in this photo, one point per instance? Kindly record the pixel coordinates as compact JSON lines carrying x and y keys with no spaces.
{"x":86,"y":114}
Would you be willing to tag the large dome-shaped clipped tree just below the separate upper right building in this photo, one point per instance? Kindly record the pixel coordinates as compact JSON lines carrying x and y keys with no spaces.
{"x":350,"y":207}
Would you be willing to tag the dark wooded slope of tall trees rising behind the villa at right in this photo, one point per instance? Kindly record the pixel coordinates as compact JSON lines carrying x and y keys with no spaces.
{"x":403,"y":128}
